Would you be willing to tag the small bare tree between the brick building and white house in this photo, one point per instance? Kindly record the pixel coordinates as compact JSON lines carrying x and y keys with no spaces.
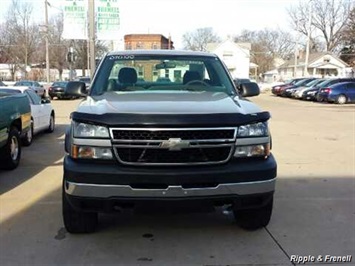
{"x":197,"y":40}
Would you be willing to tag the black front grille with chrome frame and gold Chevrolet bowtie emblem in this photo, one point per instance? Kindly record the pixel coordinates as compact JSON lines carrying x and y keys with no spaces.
{"x":173,"y":146}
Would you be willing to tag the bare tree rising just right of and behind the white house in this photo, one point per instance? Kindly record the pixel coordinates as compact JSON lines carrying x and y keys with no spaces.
{"x":266,"y":46}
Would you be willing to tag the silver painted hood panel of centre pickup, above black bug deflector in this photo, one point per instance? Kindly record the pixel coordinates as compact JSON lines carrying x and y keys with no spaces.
{"x":166,"y":103}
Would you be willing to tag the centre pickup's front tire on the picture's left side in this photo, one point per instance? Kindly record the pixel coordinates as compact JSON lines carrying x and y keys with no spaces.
{"x":77,"y":222}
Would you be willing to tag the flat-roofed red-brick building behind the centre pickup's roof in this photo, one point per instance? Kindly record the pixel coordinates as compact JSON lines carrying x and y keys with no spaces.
{"x":147,"y":42}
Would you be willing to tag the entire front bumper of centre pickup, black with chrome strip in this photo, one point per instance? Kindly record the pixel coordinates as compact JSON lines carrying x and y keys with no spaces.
{"x":104,"y":186}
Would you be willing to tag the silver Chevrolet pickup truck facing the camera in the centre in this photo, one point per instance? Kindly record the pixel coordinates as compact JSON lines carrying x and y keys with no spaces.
{"x":166,"y":128}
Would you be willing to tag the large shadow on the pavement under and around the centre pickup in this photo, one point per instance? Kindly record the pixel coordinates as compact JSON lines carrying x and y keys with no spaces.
{"x":311,"y":216}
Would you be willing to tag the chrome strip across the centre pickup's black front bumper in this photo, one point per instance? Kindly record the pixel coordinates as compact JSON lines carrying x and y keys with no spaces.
{"x":107,"y":191}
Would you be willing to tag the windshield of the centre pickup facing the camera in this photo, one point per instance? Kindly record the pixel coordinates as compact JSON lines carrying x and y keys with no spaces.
{"x":152,"y":73}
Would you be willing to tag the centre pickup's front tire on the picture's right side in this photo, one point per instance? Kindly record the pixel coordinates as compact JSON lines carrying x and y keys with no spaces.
{"x":254,"y":218}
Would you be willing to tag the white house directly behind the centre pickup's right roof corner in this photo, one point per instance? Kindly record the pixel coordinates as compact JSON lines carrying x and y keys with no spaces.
{"x":236,"y":57}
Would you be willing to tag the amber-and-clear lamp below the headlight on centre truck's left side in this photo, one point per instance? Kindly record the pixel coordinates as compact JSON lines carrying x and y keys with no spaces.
{"x":87,"y":152}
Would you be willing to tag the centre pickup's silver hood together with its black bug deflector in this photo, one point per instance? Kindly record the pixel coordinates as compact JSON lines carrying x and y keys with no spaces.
{"x":168,"y":109}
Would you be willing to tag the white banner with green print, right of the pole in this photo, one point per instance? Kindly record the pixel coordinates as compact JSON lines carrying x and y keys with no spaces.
{"x":107,"y":19}
